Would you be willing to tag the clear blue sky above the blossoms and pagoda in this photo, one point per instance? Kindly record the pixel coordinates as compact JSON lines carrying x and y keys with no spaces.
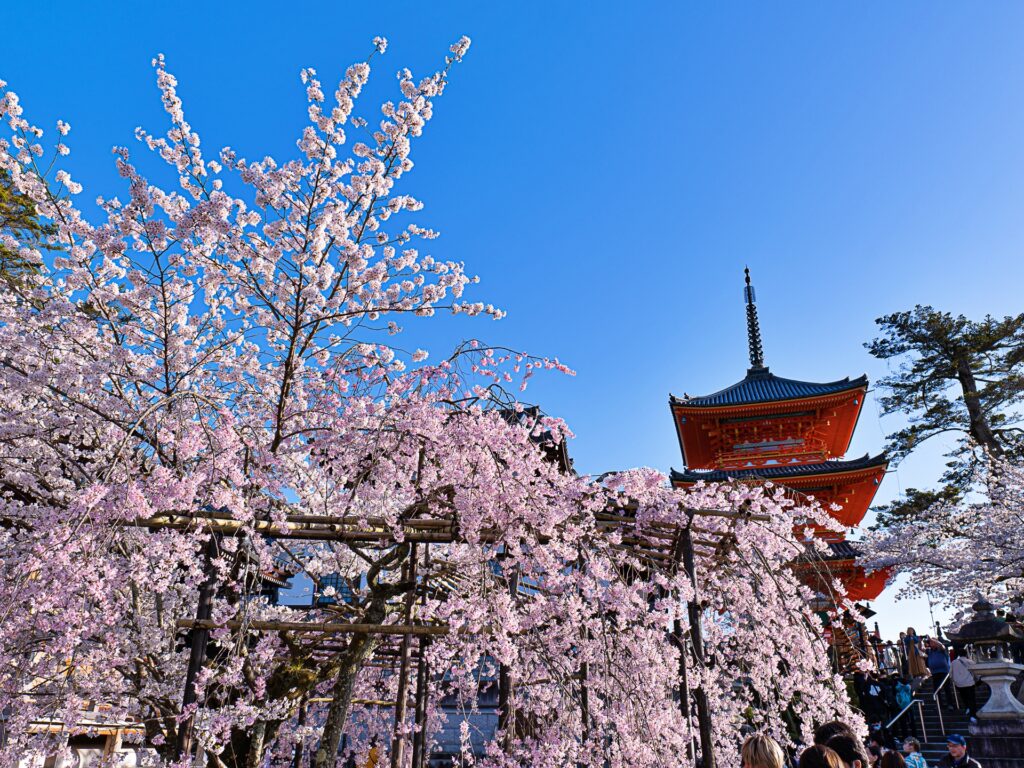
{"x":609,"y":169}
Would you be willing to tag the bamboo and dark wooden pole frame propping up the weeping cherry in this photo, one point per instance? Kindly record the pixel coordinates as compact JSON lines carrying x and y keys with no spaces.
{"x":659,"y":546}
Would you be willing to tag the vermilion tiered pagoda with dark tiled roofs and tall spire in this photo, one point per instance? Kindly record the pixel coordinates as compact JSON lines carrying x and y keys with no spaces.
{"x":795,"y":435}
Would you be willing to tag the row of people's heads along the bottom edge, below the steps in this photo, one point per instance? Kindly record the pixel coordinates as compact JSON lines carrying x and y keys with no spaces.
{"x":837,"y":746}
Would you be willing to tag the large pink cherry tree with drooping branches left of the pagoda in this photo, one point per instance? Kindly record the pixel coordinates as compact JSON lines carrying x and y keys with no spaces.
{"x":201,"y":388}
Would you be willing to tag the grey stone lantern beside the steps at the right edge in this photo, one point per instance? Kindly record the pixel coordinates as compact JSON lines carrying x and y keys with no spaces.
{"x":999,"y":735}
